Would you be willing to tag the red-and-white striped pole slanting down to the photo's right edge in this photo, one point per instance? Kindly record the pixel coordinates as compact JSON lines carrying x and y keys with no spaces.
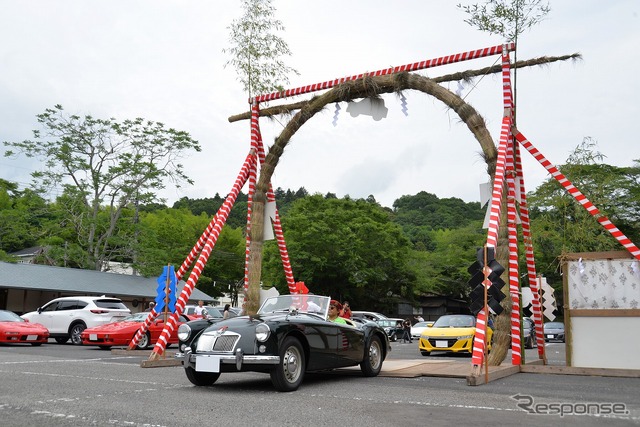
{"x":571,"y":189}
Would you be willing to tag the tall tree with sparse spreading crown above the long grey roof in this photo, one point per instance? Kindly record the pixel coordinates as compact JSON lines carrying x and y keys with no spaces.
{"x":104,"y":163}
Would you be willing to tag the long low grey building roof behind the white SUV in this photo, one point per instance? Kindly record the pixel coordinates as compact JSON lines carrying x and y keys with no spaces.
{"x":89,"y":282}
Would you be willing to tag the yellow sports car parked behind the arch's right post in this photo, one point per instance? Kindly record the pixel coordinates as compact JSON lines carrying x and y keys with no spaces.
{"x":451,"y":332}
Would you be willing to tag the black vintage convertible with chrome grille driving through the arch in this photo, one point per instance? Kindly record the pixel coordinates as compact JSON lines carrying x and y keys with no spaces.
{"x":288,"y":337}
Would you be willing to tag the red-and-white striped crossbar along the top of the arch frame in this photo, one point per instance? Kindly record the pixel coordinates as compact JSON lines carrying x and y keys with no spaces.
{"x":421,"y":65}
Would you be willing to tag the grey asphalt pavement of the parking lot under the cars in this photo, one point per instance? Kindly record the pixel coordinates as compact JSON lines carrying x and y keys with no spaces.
{"x":66,"y":385}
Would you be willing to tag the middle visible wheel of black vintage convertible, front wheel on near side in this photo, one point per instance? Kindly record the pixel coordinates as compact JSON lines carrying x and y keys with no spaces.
{"x":289,"y":372}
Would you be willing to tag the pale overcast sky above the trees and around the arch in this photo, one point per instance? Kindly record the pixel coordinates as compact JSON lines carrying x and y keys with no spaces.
{"x":163,"y":61}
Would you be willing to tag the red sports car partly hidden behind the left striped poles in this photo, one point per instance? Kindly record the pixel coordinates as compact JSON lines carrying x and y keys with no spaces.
{"x":121,"y":333}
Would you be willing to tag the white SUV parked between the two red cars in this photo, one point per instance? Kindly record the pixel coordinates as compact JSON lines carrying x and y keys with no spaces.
{"x":67,"y":317}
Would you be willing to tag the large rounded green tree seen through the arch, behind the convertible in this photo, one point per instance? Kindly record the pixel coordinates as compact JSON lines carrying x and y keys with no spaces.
{"x":348,"y":249}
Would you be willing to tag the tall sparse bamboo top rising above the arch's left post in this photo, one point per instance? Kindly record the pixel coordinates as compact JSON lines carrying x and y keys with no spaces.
{"x":256,"y":51}
